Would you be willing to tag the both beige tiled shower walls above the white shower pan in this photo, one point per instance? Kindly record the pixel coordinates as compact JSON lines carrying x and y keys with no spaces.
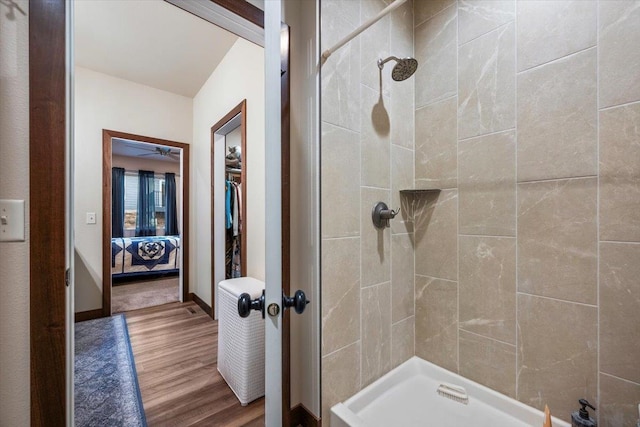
{"x":527,"y":118}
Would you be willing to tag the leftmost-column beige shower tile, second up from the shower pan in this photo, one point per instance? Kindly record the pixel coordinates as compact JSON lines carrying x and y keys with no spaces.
{"x":340,"y":293}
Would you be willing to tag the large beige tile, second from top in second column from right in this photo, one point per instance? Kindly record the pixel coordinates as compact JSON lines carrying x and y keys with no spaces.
{"x":557,"y":117}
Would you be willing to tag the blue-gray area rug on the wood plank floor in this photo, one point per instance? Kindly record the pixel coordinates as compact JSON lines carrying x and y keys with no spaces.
{"x":105,"y":380}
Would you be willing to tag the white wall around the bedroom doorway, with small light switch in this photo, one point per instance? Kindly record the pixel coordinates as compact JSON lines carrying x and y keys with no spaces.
{"x":105,"y":102}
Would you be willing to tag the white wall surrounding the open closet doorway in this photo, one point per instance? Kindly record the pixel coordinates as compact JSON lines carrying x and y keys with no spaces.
{"x":239,"y":76}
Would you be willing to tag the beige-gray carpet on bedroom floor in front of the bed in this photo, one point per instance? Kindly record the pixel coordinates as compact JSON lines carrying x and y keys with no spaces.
{"x":132,"y":296}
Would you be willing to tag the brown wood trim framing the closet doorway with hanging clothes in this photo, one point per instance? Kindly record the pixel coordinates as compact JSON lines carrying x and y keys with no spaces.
{"x":241,"y":108}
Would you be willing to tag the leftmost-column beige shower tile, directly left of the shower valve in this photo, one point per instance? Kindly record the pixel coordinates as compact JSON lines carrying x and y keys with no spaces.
{"x":340,"y":156}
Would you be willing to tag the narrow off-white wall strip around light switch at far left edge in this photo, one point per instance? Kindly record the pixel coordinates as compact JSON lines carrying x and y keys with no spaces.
{"x":14,"y":184}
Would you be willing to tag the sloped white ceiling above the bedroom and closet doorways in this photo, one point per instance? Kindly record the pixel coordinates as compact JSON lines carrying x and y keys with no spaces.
{"x":150,"y":42}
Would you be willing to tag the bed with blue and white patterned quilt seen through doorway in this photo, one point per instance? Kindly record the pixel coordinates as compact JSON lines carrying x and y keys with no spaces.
{"x":139,"y":256}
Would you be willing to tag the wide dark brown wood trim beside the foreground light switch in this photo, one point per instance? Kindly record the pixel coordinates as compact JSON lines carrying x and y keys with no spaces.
{"x":47,"y":138}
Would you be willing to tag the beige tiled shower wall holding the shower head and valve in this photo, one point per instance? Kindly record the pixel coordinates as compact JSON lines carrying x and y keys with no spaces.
{"x":367,"y":156}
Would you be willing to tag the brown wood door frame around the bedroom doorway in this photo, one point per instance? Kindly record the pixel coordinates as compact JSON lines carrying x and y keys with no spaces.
{"x":107,"y":135}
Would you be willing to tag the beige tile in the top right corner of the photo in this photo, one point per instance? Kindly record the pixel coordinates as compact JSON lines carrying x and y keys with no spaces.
{"x":619,"y":56}
